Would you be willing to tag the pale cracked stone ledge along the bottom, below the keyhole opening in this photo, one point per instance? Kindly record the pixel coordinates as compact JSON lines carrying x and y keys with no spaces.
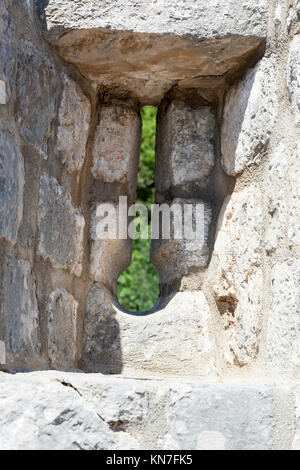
{"x":56,"y":410}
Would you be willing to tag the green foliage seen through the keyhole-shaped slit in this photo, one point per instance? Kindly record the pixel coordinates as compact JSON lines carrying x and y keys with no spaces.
{"x":138,"y":286}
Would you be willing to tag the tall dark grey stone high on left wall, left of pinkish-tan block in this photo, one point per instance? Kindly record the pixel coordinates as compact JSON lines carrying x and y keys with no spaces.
{"x":36,"y":86}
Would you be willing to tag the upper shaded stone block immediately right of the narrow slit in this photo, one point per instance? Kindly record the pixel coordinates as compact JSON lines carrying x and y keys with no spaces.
{"x":185,"y":149}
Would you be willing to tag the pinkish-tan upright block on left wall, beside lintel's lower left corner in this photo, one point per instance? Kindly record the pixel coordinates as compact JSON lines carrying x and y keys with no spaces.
{"x":74,"y":120}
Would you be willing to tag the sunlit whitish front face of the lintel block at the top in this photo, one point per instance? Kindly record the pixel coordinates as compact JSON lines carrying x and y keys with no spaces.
{"x":201,"y":19}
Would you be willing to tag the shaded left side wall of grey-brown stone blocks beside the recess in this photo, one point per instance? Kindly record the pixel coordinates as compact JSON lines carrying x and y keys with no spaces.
{"x":45,"y":118}
